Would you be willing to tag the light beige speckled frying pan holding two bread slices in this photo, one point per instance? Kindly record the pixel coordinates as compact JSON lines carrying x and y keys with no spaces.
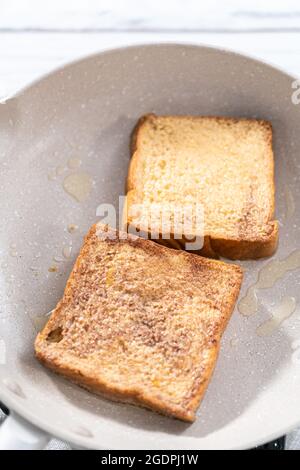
{"x":86,"y":111}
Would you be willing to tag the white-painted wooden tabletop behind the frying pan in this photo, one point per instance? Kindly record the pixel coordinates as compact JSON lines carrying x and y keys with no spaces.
{"x":36,"y":37}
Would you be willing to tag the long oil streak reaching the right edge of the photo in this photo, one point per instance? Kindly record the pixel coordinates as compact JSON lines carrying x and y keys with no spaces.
{"x":267,"y":277}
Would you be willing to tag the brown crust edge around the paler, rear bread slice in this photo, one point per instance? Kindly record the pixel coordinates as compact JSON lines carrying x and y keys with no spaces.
{"x":245,"y":245}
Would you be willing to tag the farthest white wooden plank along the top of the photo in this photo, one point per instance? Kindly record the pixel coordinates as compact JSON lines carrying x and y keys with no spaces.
{"x":142,"y":15}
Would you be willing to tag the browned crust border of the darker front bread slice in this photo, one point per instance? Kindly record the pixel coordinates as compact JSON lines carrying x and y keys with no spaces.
{"x":82,"y":369}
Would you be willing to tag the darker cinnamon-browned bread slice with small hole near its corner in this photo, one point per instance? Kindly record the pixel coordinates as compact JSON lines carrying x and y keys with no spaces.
{"x":140,"y":323}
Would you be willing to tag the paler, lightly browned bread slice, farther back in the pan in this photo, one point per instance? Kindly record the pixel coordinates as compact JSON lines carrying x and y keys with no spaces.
{"x":224,"y":164}
